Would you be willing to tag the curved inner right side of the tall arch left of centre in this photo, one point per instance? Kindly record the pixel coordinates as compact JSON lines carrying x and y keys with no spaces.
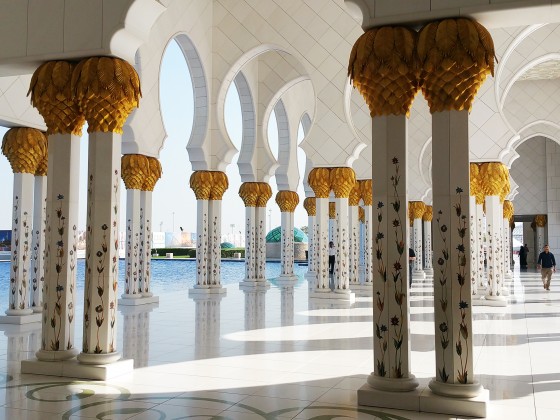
{"x":197,"y":154}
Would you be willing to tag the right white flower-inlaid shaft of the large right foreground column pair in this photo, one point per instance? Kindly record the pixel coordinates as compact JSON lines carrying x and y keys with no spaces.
{"x":452,"y":287}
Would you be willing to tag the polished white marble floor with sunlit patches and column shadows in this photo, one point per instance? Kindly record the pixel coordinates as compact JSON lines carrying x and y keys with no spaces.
{"x":274,"y":355}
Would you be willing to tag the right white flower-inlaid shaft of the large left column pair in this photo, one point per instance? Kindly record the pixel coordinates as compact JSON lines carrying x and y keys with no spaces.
{"x":102,"y":250}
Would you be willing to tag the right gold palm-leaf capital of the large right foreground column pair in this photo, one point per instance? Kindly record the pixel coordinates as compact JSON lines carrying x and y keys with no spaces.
{"x":455,"y":57}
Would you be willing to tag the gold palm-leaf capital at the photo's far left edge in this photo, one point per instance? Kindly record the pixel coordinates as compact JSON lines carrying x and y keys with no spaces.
{"x":25,"y":149}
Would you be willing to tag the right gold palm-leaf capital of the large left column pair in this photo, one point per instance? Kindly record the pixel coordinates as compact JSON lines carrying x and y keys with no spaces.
{"x":107,"y":89}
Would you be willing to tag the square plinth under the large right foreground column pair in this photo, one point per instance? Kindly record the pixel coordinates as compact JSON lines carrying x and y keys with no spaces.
{"x":424,"y":400}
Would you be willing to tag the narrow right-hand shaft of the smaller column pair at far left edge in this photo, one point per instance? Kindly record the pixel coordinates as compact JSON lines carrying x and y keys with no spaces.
{"x":38,"y":242}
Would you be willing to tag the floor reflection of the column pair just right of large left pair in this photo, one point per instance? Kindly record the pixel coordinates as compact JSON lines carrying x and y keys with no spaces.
{"x":136,"y":332}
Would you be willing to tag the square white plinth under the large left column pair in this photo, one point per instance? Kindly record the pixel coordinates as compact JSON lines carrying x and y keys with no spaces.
{"x":75,"y":369}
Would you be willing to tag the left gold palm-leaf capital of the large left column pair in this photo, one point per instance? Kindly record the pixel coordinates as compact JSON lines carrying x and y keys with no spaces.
{"x":51,"y":94}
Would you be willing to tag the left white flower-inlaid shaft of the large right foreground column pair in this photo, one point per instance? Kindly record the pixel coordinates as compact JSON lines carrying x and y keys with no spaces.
{"x":390,"y":281}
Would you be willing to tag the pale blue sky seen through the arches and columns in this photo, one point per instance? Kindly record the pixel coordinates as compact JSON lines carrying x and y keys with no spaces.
{"x":174,"y":203}
